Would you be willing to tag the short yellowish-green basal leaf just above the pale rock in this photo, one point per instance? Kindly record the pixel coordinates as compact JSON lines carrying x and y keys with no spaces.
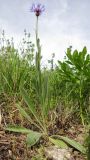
{"x":58,"y":143}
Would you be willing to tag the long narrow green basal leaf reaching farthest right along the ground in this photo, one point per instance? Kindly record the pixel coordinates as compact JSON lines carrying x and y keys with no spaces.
{"x":73,"y":143}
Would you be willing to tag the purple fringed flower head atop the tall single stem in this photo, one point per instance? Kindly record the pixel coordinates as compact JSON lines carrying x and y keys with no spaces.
{"x":37,"y":9}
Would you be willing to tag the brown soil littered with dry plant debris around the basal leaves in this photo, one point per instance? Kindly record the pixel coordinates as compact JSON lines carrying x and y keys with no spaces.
{"x":13,"y":145}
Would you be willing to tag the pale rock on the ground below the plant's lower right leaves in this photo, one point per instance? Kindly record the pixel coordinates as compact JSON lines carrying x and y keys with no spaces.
{"x":55,"y":153}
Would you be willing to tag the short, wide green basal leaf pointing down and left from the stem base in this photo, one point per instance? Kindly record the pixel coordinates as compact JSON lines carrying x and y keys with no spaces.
{"x":33,"y":138}
